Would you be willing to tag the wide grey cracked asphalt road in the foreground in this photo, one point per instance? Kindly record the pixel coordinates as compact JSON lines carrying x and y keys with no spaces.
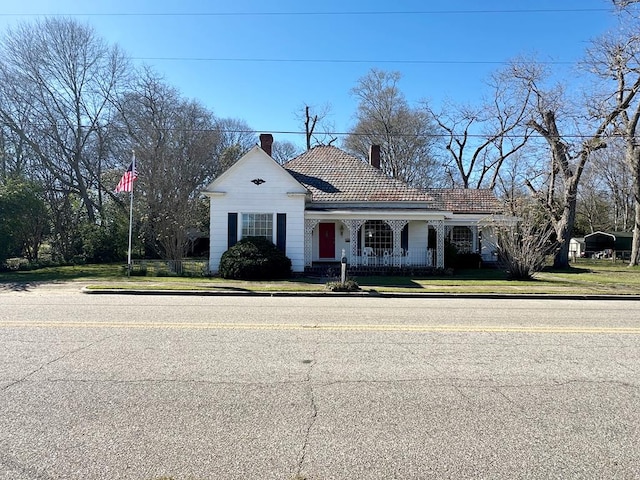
{"x":150,"y":387}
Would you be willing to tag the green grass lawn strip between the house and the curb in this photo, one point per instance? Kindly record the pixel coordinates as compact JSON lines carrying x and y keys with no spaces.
{"x":595,"y":277}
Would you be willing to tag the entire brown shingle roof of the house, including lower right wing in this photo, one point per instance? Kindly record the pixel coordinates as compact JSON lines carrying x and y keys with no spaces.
{"x":334,"y":176}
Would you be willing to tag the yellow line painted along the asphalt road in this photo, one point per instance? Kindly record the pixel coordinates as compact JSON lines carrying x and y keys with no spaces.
{"x":323,"y":327}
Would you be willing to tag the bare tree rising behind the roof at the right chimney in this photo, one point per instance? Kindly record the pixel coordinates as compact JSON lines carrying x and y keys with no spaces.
{"x":406,"y":135}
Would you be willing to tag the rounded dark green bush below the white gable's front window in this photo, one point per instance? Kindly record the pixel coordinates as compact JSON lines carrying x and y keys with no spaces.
{"x":254,"y":258}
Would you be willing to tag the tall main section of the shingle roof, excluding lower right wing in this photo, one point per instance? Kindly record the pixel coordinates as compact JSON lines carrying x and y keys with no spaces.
{"x":333,"y":175}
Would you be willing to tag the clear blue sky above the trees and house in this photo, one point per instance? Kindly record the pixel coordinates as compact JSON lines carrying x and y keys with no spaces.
{"x":262,"y":61}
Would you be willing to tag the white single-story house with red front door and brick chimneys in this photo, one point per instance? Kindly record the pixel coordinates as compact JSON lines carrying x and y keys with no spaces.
{"x":326,"y":202}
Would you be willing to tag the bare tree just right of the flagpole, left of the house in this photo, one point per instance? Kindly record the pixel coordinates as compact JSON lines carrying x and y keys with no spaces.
{"x":175,"y":142}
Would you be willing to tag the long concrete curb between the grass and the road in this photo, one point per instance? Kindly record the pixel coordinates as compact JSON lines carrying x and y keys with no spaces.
{"x":361,"y":294}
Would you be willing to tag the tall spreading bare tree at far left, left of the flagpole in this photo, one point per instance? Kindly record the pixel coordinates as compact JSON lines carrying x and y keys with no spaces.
{"x":60,"y":77}
